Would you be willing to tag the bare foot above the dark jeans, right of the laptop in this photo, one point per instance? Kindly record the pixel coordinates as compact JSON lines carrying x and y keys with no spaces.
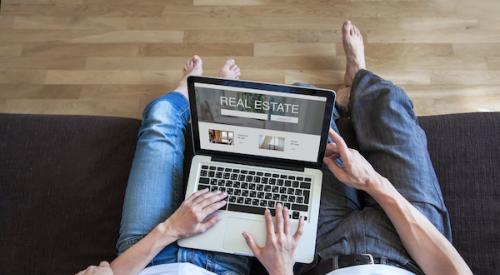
{"x":354,"y":51}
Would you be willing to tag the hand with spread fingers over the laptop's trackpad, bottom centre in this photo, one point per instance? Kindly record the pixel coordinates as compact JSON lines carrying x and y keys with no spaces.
{"x":277,"y":255}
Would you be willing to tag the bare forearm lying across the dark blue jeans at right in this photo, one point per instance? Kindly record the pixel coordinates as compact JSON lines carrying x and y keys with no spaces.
{"x":425,"y":244}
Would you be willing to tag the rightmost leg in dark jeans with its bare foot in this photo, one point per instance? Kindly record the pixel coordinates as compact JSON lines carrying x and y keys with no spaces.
{"x":389,"y":136}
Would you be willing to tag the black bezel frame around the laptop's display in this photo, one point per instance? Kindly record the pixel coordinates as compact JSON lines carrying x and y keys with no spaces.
{"x":330,"y":100}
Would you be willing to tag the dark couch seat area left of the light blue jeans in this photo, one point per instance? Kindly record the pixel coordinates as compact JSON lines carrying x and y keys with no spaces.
{"x":62,"y":181}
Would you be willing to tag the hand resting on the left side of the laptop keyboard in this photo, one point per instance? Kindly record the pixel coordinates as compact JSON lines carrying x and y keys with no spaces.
{"x":193,"y":216}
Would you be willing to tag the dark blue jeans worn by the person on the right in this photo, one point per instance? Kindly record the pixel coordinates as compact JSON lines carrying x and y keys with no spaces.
{"x":389,"y":137}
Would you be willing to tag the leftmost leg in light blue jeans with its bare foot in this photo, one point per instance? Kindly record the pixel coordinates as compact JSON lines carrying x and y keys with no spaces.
{"x":155,"y":187}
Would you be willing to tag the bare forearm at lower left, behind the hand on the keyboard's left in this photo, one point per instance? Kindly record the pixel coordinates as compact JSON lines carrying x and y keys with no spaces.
{"x":137,"y":257}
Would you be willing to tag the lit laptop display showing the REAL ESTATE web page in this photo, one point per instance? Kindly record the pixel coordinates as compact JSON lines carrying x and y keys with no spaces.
{"x":258,"y":122}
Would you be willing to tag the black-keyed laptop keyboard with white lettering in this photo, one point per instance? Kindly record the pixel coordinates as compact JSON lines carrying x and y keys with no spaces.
{"x":252,"y":191}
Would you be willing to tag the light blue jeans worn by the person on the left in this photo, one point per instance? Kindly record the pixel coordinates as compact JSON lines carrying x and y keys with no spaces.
{"x":155,"y":188}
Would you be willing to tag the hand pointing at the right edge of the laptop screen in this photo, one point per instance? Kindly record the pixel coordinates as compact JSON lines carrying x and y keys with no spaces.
{"x":356,"y":171}
